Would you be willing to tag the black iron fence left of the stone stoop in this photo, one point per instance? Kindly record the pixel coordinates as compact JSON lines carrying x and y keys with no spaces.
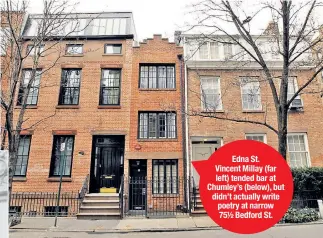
{"x":44,"y":204}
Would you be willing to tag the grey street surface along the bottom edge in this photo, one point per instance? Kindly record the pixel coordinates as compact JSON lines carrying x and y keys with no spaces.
{"x":301,"y":231}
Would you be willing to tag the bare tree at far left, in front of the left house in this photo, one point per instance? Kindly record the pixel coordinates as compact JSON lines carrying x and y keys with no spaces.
{"x":56,"y":23}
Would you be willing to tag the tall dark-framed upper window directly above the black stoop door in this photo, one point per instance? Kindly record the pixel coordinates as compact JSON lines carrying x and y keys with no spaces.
{"x":110,"y":87}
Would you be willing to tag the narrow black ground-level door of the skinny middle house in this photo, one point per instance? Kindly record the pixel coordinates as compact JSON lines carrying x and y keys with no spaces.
{"x":138,"y":184}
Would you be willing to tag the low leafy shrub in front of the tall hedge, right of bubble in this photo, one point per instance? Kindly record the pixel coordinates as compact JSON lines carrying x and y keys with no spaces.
{"x":294,"y":215}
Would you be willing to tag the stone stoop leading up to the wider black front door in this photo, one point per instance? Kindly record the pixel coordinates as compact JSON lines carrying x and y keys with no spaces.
{"x":100,"y":206}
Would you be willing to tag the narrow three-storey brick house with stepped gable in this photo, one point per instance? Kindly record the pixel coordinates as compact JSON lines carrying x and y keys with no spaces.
{"x":156,"y":131}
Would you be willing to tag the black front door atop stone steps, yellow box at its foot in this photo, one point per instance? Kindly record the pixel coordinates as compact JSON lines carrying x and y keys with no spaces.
{"x":107,"y":163}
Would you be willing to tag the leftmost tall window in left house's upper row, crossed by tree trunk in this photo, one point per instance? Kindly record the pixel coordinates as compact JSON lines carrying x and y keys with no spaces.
{"x":32,"y":96}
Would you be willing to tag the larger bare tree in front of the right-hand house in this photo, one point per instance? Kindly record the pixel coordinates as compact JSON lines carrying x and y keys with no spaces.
{"x":294,"y":38}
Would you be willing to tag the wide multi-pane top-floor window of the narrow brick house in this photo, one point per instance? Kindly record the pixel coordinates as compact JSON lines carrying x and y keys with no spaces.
{"x":161,"y":76}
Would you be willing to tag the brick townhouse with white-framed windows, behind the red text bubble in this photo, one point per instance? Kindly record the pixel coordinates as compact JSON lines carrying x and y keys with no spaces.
{"x":213,"y":77}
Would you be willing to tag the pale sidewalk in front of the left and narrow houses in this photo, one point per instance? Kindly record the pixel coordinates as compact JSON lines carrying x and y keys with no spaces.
{"x":119,"y":226}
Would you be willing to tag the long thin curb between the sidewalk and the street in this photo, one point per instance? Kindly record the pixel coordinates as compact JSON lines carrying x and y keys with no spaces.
{"x":149,"y":230}
